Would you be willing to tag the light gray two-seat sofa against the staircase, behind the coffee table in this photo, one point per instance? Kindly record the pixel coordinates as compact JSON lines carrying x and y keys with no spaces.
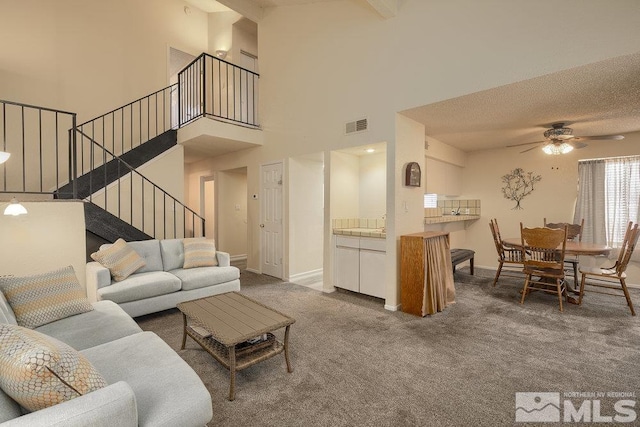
{"x":162,"y":283}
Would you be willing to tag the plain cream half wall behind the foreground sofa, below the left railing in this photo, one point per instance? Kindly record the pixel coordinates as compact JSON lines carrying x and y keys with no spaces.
{"x":49,"y":237}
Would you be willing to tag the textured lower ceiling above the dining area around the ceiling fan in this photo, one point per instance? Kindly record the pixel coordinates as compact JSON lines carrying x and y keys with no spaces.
{"x":602,"y":98}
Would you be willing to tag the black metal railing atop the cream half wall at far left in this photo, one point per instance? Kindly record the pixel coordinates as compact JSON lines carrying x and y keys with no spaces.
{"x":40,"y":147}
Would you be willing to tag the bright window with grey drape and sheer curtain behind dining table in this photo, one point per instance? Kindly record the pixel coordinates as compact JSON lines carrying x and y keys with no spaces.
{"x":608,"y":198}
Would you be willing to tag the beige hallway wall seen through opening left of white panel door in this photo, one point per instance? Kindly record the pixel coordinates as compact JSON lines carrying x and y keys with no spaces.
{"x":231,"y":207}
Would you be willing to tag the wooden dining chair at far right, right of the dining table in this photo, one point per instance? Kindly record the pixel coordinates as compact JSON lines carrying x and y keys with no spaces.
{"x":613,"y":278}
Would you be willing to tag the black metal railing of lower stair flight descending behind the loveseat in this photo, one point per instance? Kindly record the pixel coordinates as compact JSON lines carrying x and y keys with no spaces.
{"x":136,"y":200}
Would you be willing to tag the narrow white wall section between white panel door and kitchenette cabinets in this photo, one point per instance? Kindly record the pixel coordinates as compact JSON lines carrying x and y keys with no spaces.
{"x":306,"y":215}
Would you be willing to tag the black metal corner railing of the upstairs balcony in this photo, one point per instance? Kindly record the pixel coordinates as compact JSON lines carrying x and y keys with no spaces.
{"x":212,"y":87}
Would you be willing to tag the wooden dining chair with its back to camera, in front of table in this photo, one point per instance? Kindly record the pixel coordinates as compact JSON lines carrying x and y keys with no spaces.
{"x":543,"y":260}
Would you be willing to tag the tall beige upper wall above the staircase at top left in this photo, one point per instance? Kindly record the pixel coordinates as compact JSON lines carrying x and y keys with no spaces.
{"x":92,"y":56}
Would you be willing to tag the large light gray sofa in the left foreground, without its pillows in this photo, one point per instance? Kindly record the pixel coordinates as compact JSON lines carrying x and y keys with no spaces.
{"x":149,"y":383}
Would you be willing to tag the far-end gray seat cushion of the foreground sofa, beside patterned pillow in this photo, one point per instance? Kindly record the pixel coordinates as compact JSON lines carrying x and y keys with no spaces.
{"x":106,"y":322}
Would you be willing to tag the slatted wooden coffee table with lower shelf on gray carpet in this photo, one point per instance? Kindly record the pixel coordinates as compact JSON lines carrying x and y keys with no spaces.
{"x":222,"y":324}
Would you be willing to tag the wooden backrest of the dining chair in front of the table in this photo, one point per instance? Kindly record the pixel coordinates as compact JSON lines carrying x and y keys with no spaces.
{"x":543,"y":248}
